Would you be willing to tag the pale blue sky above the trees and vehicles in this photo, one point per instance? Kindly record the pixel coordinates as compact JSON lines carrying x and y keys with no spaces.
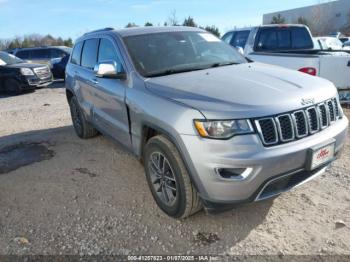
{"x":71,"y":18}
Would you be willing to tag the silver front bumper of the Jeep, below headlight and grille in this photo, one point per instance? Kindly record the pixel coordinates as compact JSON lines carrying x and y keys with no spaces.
{"x":204,"y":157}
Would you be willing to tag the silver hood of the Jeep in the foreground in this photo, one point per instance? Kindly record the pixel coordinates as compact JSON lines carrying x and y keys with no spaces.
{"x":242,"y":91}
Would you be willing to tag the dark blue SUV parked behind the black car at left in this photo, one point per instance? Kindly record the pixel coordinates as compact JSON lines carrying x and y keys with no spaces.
{"x":42,"y":55}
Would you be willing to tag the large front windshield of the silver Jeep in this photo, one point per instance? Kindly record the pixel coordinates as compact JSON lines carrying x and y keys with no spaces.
{"x":174,"y":52}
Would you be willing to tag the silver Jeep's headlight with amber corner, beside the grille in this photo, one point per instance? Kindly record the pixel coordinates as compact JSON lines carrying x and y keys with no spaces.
{"x":223,"y":129}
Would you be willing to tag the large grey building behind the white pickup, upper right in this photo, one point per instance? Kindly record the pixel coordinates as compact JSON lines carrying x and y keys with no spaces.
{"x":321,"y":18}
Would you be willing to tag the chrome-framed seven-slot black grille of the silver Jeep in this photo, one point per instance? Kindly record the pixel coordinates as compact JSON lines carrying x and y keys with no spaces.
{"x":298,"y":124}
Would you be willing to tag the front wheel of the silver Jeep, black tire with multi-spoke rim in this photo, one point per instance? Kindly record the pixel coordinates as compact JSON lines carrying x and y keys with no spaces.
{"x":174,"y":176}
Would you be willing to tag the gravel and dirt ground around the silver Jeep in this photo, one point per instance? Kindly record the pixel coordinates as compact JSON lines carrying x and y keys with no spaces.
{"x":91,"y":197}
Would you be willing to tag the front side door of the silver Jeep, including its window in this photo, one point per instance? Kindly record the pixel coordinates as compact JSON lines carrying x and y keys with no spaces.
{"x":110,"y":111}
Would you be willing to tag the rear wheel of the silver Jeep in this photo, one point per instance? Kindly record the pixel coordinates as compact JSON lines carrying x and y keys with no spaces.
{"x":81,"y":126}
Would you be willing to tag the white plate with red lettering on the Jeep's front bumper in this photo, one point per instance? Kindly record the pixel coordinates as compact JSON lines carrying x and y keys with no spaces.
{"x":320,"y":155}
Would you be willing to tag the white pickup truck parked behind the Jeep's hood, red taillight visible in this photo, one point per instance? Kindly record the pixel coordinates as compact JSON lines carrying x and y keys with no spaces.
{"x":291,"y":46}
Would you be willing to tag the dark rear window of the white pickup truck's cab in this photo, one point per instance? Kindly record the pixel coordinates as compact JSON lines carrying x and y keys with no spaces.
{"x":283,"y":38}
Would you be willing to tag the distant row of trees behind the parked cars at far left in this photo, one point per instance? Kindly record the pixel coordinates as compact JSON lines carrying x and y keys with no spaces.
{"x":34,"y":40}
